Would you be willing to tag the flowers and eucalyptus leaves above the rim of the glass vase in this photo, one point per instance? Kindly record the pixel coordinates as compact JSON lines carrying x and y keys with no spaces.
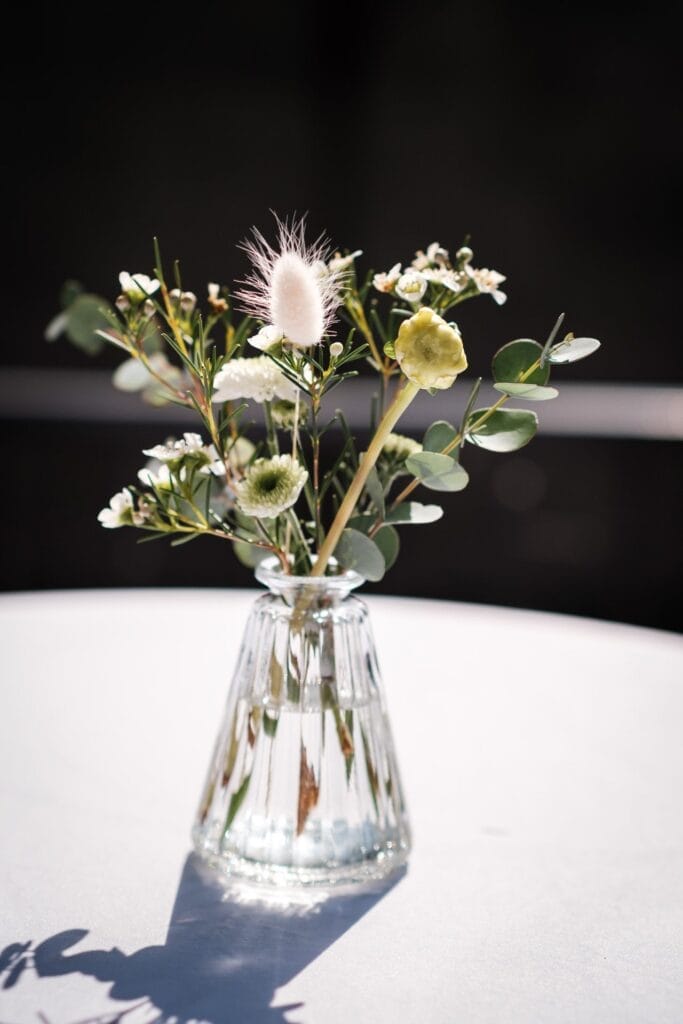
{"x":308,"y":323}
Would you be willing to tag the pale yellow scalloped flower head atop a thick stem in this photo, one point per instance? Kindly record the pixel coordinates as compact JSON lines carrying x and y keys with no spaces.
{"x":431,"y":352}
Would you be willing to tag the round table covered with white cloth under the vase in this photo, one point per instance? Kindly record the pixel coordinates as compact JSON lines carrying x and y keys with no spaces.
{"x":543,"y":762}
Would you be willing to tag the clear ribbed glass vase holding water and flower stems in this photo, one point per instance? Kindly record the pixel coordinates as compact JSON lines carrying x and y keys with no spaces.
{"x":304,"y":788}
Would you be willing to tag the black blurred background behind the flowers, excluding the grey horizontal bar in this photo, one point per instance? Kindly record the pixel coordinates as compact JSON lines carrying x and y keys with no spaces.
{"x":549,"y":135}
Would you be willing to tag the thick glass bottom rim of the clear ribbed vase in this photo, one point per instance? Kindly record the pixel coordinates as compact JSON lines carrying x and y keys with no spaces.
{"x":235,"y":868}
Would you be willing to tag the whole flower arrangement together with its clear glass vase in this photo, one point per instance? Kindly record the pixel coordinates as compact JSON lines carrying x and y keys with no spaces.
{"x":304,"y":785}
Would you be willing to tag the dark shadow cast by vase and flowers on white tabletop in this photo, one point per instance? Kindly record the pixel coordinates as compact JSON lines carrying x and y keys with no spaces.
{"x":226,"y":954}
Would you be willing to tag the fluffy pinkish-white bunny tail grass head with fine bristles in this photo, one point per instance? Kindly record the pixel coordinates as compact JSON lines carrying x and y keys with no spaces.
{"x":286,"y":288}
